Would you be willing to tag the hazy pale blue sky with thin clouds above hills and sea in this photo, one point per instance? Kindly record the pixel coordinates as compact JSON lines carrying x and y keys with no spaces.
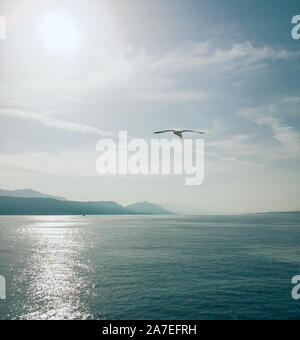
{"x":229,"y":68}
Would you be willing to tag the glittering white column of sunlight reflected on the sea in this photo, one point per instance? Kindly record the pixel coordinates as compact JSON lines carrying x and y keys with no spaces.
{"x":55,"y":288}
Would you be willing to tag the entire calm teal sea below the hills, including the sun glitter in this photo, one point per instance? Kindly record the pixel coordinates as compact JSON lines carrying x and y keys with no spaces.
{"x":217,"y":267}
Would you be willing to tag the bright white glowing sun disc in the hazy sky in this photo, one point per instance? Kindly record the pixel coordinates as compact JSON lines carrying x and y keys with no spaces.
{"x":59,"y":33}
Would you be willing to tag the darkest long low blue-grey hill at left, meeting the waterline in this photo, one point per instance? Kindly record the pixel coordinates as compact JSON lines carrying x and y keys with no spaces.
{"x":49,"y":206}
